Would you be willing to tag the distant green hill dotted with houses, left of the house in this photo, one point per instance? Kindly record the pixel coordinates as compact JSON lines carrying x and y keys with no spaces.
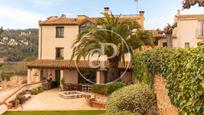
{"x":18,"y":45}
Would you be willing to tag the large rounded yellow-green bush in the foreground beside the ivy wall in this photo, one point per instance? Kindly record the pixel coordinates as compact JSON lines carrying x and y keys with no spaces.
{"x":136,"y":98}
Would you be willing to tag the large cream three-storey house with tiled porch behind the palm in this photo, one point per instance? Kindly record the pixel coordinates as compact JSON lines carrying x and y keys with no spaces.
{"x":56,"y":36}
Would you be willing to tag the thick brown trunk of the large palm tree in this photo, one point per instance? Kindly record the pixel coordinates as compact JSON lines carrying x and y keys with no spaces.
{"x":113,"y":71}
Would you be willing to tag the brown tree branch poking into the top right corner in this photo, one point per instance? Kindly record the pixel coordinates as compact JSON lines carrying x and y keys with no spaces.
{"x":188,"y":3}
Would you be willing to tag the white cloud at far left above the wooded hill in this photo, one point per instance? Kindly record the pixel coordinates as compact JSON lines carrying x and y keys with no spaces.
{"x":13,"y":16}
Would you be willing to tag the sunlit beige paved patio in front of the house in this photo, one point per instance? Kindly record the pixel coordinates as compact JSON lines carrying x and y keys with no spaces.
{"x":50,"y":101}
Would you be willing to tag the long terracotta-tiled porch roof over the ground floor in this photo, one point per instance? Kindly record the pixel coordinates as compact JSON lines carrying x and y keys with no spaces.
{"x":71,"y":64}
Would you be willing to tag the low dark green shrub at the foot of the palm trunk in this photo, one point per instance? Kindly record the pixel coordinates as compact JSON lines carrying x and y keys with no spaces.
{"x":106,"y":89}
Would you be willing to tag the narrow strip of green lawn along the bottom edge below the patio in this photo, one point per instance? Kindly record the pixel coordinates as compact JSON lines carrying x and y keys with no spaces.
{"x":87,"y":112}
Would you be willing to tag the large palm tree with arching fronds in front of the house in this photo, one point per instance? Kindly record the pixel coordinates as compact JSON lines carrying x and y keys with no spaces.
{"x":92,"y":37}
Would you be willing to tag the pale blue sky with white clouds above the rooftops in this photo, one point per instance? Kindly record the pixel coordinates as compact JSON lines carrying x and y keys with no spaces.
{"x":22,"y":14}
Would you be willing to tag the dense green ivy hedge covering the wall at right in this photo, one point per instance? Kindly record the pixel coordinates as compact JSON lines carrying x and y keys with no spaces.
{"x":184,"y":71}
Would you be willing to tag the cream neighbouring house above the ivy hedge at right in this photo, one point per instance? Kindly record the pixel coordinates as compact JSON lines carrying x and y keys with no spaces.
{"x":188,"y":33}
